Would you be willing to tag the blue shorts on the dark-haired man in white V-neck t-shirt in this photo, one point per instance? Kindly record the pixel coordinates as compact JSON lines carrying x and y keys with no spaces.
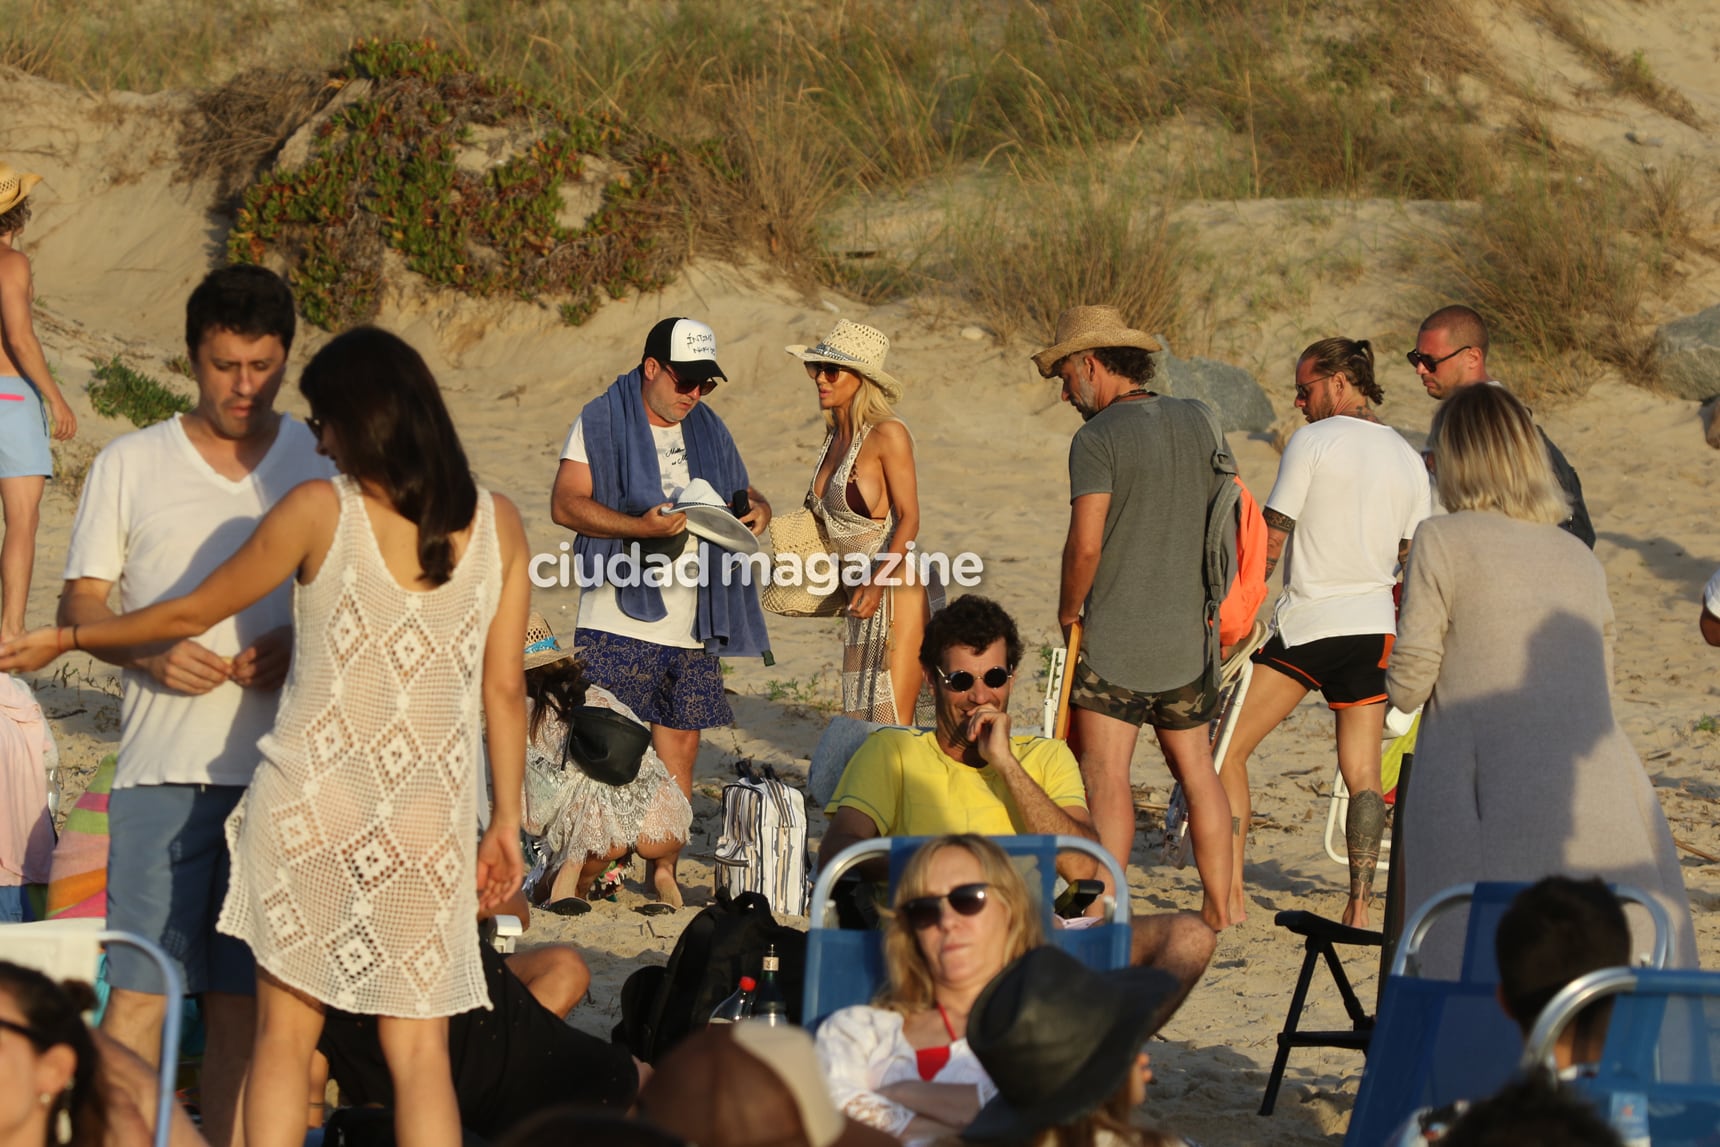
{"x":168,"y":880}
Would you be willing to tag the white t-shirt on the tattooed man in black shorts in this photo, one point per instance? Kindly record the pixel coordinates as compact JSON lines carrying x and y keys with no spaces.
{"x":1354,"y":489}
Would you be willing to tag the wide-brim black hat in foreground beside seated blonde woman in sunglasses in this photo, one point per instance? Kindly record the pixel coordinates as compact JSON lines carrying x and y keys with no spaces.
{"x":1059,"y":1040}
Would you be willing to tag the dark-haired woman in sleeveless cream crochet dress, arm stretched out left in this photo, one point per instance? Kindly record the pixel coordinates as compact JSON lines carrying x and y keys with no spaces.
{"x":357,"y":878}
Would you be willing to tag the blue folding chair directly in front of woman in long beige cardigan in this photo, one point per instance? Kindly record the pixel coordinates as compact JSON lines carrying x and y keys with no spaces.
{"x":1439,"y":1041}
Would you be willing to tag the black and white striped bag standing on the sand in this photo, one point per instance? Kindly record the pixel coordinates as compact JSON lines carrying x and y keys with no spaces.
{"x":765,"y":840}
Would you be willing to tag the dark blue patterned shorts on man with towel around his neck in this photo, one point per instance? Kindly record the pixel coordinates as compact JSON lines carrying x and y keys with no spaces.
{"x":663,"y":685}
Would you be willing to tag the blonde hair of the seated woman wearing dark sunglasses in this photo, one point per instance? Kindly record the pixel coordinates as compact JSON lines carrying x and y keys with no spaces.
{"x":911,"y":981}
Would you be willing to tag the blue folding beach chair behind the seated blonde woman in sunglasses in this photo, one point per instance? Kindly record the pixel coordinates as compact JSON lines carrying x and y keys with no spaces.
{"x":845,"y":967}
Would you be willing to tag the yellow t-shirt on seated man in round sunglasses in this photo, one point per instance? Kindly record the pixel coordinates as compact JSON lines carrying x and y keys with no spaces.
{"x":911,"y":788}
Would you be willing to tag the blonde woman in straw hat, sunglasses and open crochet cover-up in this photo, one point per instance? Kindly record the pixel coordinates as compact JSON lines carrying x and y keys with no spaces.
{"x":866,"y":494}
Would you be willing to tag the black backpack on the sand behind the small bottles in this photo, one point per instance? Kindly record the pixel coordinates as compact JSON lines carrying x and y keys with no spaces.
{"x":661,"y":1005}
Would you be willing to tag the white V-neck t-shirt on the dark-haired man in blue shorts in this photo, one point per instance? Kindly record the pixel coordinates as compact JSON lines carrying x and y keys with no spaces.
{"x":156,"y":520}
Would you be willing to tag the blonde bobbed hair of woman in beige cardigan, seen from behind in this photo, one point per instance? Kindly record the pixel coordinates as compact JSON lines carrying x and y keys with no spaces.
{"x":1489,"y":455}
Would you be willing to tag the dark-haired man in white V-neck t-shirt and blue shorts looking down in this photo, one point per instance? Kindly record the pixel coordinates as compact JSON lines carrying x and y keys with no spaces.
{"x":161,"y":510}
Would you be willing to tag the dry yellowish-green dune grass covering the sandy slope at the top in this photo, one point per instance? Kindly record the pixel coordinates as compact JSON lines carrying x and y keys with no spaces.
{"x":777,"y":116}
